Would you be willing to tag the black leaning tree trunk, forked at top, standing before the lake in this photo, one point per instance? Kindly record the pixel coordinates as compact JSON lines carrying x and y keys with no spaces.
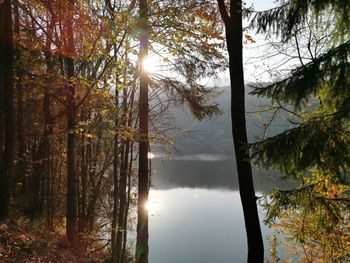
{"x":233,"y":25}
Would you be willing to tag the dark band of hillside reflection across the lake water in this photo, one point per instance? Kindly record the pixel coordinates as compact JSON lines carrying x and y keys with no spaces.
{"x":219,"y":174}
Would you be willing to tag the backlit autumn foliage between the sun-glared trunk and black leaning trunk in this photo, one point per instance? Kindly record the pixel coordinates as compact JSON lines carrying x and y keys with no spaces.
{"x":191,"y":40}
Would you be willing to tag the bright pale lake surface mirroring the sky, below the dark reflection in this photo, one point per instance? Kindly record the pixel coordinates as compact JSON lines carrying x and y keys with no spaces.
{"x":197,"y":225}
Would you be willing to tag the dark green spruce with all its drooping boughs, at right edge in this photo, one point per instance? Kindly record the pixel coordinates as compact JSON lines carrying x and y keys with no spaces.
{"x":319,"y":138}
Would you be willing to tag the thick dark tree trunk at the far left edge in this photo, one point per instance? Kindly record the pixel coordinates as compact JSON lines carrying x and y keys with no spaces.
{"x":7,"y":89}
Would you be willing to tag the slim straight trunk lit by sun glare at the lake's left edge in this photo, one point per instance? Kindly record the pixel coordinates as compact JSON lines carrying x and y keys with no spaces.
{"x":143,"y":183}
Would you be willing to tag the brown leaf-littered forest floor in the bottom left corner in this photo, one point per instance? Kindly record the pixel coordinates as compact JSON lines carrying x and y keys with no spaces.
{"x":23,"y":243}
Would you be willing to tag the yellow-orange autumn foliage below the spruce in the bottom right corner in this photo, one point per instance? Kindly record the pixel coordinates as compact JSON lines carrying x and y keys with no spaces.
{"x":314,"y":216}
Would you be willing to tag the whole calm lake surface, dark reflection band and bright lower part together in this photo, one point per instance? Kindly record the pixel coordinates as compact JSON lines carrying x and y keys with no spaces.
{"x":203,"y":221}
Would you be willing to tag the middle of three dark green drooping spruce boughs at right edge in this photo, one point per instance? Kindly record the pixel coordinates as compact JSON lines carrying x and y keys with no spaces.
{"x":330,"y":71}
